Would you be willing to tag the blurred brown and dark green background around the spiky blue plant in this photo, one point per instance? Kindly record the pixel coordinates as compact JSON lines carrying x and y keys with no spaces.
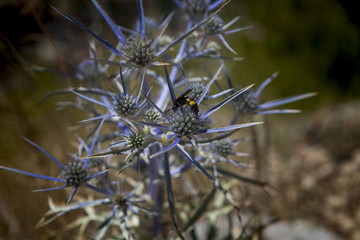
{"x":314,"y":159}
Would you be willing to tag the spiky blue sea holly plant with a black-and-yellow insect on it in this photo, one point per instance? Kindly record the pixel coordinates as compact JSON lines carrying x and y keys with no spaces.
{"x":155,"y":128}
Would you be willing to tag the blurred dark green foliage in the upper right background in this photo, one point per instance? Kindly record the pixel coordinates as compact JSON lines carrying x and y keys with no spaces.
{"x":313,"y":44}
